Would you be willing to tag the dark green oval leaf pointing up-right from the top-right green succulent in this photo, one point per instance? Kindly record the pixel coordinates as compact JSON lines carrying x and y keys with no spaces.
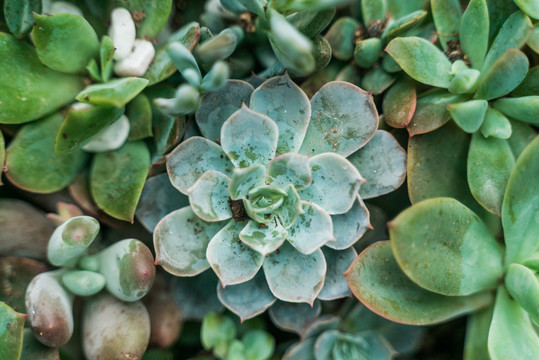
{"x":503,"y":76}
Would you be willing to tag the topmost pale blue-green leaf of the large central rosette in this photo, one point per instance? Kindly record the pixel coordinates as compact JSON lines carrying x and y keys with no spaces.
{"x":286,"y":104}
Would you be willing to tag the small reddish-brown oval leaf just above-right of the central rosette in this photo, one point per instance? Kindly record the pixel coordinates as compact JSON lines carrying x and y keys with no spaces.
{"x":399,"y":104}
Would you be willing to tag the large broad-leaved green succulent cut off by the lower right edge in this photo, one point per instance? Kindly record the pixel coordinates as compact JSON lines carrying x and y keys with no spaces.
{"x":442,"y":262}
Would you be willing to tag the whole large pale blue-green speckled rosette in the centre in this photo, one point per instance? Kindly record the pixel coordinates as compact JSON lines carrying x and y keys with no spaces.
{"x":270,"y":193}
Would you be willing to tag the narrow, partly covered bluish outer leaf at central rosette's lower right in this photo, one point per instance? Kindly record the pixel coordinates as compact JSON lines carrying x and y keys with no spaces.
{"x":338,"y":261}
